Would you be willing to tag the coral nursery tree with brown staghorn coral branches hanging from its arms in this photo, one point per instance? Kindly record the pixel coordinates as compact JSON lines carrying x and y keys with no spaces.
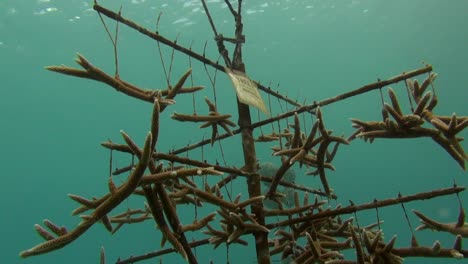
{"x":295,"y":228}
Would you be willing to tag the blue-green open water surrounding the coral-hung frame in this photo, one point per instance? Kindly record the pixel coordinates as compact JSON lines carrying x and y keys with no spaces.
{"x":51,"y":125}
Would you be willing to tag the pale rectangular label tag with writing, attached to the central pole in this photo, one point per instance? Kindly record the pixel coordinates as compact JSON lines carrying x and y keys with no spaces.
{"x":246,"y":90}
